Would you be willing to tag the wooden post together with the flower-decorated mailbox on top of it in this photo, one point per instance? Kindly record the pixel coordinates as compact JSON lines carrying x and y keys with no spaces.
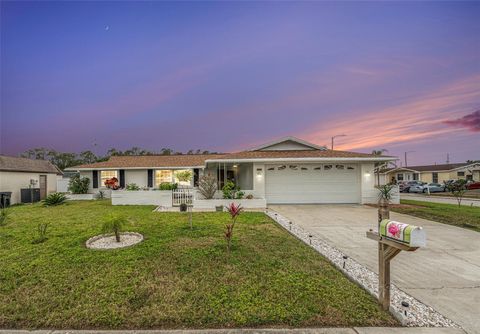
{"x":408,"y":238}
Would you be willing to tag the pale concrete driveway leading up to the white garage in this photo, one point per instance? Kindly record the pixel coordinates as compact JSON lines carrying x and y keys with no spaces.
{"x":444,"y":275}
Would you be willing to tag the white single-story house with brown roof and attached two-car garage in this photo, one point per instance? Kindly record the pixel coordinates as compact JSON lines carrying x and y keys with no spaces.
{"x":288,"y":170}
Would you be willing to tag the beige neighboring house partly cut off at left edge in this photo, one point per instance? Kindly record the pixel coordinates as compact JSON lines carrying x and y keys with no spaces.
{"x":21,"y":173}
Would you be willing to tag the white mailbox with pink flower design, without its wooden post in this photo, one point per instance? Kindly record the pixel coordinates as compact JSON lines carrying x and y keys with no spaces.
{"x":410,"y":235}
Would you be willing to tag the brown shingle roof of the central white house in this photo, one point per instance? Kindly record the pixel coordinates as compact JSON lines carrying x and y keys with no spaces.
{"x":193,"y":160}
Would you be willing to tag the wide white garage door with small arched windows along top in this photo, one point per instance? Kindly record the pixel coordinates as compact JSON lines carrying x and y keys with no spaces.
{"x":309,"y":183}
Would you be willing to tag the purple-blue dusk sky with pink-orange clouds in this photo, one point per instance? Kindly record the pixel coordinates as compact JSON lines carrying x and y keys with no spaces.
{"x":227,"y":76}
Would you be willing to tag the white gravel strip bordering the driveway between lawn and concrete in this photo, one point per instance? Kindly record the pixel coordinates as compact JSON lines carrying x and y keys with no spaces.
{"x":418,"y":314}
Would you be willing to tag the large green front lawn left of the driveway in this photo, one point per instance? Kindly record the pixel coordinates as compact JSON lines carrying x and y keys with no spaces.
{"x":175,"y":278}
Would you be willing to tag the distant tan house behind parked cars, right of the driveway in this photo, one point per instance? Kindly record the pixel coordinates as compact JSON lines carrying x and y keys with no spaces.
{"x":432,"y":173}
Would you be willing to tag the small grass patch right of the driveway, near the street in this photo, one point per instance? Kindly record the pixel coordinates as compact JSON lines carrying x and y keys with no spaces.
{"x":451,"y":214}
